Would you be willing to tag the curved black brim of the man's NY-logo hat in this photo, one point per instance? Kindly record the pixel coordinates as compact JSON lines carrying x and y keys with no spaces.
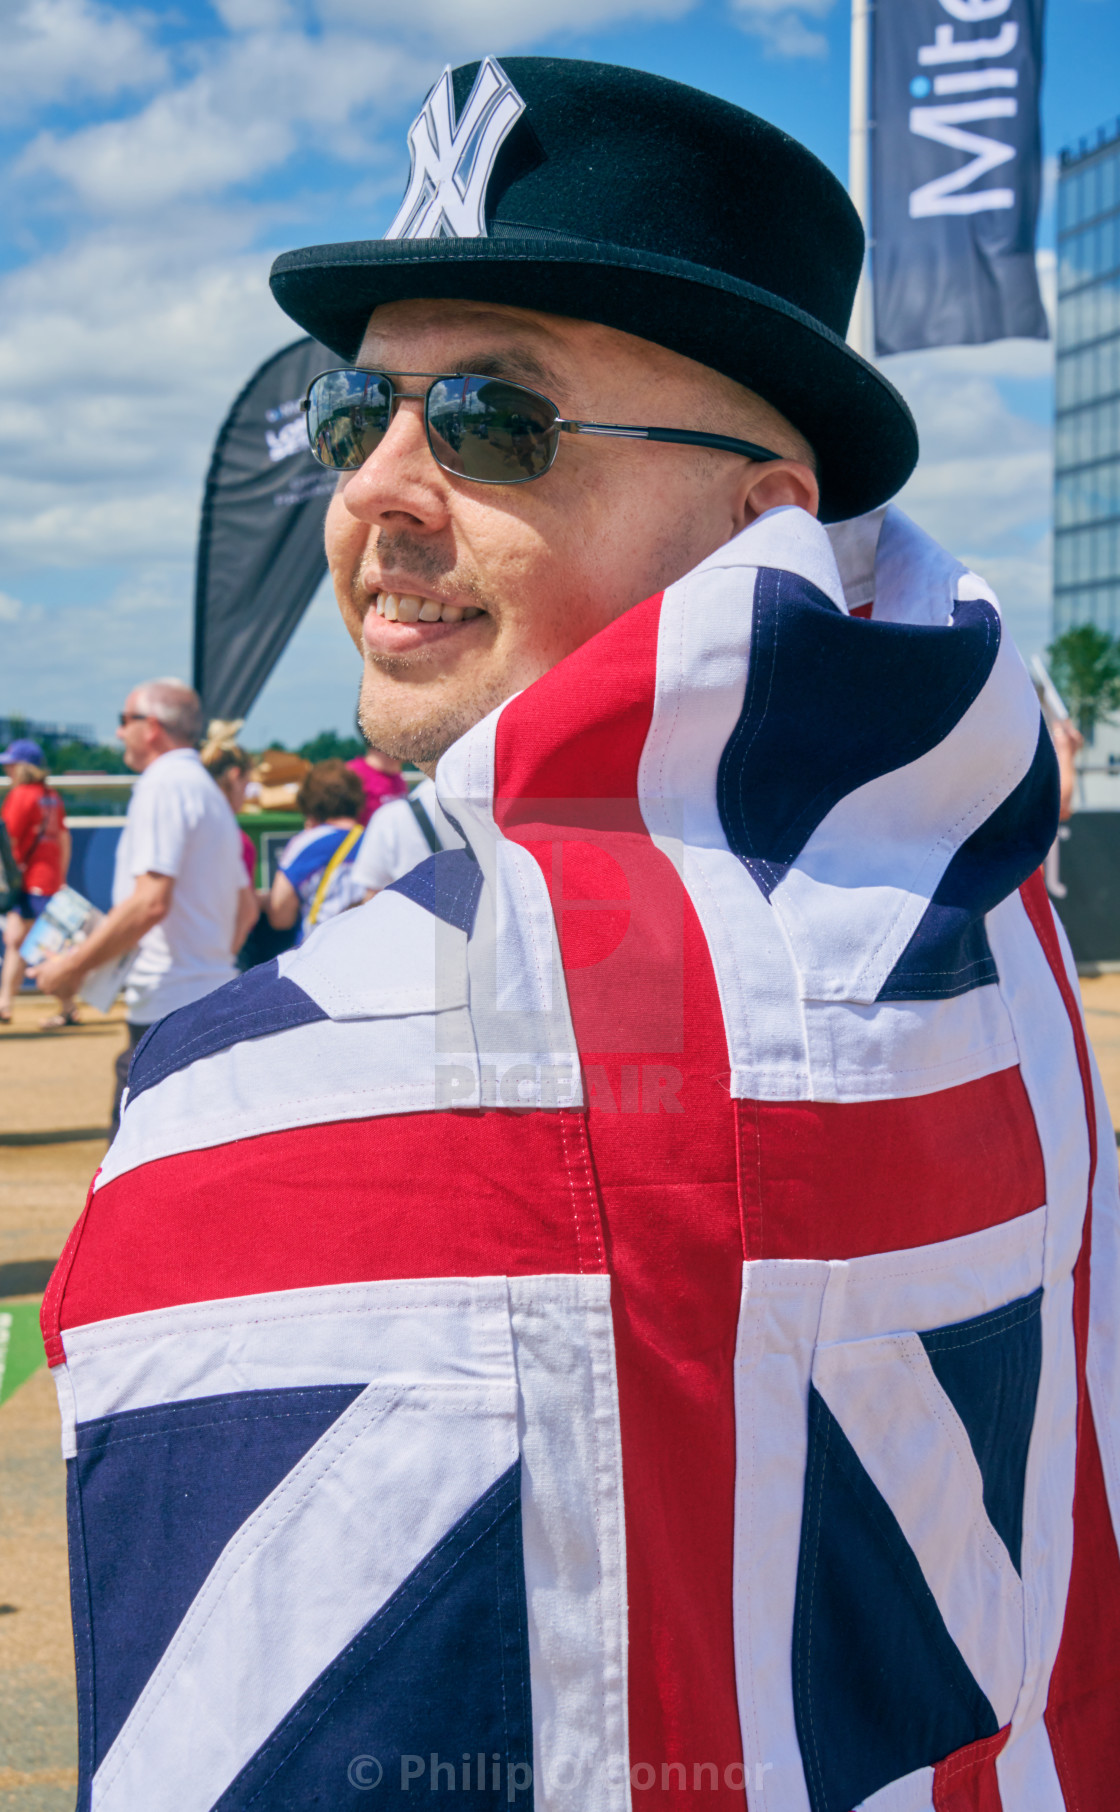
{"x":858,"y":425}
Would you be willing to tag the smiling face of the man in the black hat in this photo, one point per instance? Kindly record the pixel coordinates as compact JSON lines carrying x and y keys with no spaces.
{"x":539,"y":568}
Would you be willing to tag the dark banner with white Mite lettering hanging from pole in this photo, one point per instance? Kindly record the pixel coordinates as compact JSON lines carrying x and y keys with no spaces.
{"x":956,"y":173}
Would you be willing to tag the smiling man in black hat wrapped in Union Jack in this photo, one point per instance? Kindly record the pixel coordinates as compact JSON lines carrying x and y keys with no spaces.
{"x":626,"y":1289}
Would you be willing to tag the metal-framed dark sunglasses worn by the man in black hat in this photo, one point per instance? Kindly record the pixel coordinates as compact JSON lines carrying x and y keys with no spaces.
{"x":481,"y":429}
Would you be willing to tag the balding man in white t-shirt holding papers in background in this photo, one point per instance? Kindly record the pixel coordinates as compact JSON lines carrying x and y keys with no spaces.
{"x":180,"y":896}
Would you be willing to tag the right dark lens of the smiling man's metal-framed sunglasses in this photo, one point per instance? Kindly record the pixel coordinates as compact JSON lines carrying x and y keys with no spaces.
{"x":488,"y":430}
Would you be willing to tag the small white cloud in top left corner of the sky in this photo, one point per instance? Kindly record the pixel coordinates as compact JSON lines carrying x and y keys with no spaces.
{"x":64,"y":50}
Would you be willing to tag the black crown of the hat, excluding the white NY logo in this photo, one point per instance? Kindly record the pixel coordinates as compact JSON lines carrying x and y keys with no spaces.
{"x":635,"y":160}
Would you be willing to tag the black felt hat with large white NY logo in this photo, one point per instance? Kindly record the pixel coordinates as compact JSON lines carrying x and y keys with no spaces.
{"x":615,"y":197}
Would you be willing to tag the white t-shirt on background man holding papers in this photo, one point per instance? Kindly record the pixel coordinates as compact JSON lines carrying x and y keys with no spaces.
{"x":180,"y":825}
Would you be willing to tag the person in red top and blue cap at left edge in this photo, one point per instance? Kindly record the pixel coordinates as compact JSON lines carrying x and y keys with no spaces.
{"x":43,"y":849}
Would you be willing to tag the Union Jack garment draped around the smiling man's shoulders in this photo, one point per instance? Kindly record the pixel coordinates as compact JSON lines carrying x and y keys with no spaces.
{"x":615,"y":1311}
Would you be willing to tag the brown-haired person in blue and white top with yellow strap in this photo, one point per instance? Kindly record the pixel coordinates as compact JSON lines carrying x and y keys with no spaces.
{"x":313,"y":882}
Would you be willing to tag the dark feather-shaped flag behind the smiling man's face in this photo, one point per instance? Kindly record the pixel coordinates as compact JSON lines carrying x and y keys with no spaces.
{"x":260,"y":548}
